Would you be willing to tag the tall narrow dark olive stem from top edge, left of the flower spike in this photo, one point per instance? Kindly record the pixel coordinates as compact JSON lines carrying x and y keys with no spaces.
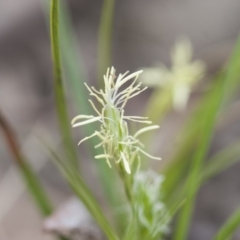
{"x":58,"y":85}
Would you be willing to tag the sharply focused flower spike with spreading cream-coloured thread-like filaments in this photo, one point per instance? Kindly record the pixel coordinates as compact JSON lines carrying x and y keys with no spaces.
{"x":118,"y":145}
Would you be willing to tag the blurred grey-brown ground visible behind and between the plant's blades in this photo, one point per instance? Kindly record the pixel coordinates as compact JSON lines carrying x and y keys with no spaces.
{"x":143,"y":34}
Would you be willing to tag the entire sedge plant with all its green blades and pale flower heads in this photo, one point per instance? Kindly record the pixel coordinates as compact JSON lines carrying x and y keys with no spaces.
{"x":152,"y":199}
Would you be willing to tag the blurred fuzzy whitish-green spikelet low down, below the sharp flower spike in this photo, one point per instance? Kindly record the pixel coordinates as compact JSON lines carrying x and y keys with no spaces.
{"x":152,"y":213}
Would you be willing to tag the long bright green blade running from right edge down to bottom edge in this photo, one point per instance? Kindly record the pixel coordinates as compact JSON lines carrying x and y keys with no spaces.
{"x":225,"y":88}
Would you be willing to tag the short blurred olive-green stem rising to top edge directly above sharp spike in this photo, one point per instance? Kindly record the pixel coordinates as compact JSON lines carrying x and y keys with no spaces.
{"x":105,"y":38}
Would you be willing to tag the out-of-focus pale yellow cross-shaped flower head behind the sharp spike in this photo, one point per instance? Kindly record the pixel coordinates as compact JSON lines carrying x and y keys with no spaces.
{"x":180,"y":79}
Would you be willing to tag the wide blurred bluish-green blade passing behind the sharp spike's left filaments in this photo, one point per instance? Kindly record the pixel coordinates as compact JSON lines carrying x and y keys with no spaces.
{"x":75,"y":81}
